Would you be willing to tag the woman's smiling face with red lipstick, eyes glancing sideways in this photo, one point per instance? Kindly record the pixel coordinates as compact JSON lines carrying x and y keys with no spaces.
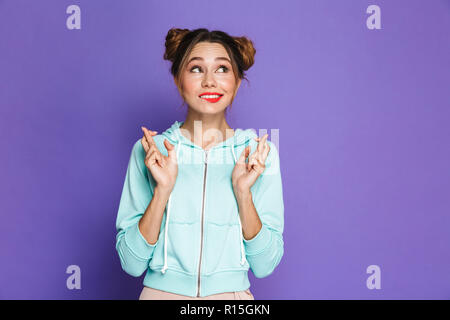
{"x":208,"y":70}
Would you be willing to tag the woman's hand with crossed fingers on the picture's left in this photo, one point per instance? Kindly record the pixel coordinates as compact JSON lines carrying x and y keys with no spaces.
{"x":164,"y":169}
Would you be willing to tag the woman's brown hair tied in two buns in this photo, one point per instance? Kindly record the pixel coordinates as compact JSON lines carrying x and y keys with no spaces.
{"x":180,"y":42}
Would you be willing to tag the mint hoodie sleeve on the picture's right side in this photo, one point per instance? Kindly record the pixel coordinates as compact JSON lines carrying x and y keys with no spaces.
{"x":264,"y":251}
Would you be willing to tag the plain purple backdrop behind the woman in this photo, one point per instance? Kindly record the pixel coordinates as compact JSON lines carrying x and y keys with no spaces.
{"x":363,"y":118}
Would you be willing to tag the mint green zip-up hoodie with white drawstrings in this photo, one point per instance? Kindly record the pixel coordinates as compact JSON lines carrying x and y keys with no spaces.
{"x":200,"y":250}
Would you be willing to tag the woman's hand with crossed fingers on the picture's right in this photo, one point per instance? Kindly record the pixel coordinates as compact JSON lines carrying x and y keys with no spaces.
{"x":245,"y":174}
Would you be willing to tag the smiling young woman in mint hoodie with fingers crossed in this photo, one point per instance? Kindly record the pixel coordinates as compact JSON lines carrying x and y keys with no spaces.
{"x":202,"y":203}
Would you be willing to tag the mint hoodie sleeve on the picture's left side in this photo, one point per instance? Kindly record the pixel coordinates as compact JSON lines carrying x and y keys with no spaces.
{"x":133,"y":249}
